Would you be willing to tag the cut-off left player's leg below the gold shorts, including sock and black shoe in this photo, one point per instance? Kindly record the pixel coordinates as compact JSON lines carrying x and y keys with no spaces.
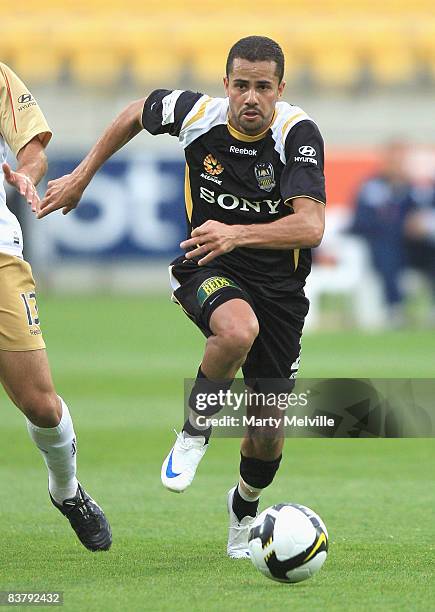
{"x":26,"y":377}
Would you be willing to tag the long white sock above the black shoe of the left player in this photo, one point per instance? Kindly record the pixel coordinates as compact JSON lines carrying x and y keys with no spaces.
{"x":58,"y":447}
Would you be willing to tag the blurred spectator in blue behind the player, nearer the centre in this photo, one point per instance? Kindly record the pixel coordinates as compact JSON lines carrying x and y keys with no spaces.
{"x":382,"y":205}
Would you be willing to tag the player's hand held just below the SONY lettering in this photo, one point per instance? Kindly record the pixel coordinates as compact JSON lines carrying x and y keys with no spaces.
{"x":211,"y":238}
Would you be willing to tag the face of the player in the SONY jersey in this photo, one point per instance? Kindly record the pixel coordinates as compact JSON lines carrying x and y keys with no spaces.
{"x":253,"y":90}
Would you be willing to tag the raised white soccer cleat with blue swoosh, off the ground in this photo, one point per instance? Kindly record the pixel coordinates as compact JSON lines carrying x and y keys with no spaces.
{"x":179,"y":467}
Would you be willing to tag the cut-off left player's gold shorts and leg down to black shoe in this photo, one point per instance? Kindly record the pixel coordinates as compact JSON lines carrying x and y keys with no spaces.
{"x":26,"y":377}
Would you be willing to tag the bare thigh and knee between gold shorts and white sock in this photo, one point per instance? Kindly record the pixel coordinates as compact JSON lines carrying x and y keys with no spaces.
{"x":26,"y":377}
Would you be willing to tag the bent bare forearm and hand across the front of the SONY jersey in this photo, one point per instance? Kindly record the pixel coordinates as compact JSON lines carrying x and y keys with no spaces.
{"x":303,"y":229}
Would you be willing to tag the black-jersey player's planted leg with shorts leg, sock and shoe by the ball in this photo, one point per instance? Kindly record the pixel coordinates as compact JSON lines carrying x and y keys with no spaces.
{"x":270,"y":368}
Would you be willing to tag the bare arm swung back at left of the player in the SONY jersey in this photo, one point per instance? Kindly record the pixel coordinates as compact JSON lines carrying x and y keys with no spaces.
{"x":66,"y":191}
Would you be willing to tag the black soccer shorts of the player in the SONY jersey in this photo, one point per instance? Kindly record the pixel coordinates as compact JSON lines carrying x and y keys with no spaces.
{"x":275,"y":353}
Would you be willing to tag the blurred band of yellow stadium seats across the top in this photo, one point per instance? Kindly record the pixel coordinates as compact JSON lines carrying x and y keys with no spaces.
{"x":329,"y":44}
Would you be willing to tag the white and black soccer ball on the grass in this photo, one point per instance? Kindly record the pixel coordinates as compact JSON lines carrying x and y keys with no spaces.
{"x":288,"y":542}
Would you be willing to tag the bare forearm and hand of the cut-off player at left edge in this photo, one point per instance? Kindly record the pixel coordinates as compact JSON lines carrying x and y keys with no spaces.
{"x":32,"y":165}
